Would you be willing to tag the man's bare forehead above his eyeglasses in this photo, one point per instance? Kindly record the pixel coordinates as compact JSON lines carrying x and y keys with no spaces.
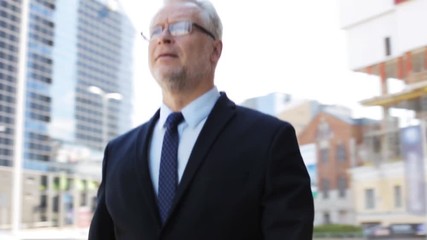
{"x":176,"y":11}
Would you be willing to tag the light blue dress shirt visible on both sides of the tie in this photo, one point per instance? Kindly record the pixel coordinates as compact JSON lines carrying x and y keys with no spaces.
{"x":195,"y":115}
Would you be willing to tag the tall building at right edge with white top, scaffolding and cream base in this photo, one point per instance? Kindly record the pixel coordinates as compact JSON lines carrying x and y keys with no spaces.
{"x":384,"y":40}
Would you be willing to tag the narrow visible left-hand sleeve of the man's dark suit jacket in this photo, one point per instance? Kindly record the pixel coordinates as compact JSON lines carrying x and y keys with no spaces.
{"x":102,"y":226}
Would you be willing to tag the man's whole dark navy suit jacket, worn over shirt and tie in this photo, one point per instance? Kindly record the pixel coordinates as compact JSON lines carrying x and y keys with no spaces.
{"x":245,"y":179}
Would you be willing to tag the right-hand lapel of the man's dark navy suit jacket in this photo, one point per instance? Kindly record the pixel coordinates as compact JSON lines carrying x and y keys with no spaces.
{"x":222,"y":112}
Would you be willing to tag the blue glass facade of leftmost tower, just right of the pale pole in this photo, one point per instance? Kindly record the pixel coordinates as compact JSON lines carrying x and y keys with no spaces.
{"x":39,"y":78}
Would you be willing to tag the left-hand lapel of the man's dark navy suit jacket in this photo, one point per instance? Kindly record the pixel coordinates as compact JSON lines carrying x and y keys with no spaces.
{"x":142,"y":168}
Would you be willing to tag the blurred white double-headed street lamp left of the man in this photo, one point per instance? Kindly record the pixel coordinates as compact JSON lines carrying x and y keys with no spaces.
{"x":105,"y":100}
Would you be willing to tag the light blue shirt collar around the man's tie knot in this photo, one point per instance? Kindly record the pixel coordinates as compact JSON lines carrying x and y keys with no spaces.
{"x":195,"y":111}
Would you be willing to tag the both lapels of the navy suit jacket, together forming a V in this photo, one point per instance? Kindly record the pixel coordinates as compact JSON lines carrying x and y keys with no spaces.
{"x":217,"y":120}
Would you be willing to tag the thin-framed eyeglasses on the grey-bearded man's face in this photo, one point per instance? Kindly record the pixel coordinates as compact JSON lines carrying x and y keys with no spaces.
{"x":176,"y":29}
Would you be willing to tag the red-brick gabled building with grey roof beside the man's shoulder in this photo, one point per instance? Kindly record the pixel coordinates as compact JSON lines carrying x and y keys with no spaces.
{"x":328,"y":138}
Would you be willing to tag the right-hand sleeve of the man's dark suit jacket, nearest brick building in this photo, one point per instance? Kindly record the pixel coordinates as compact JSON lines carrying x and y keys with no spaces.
{"x":288,"y":209}
